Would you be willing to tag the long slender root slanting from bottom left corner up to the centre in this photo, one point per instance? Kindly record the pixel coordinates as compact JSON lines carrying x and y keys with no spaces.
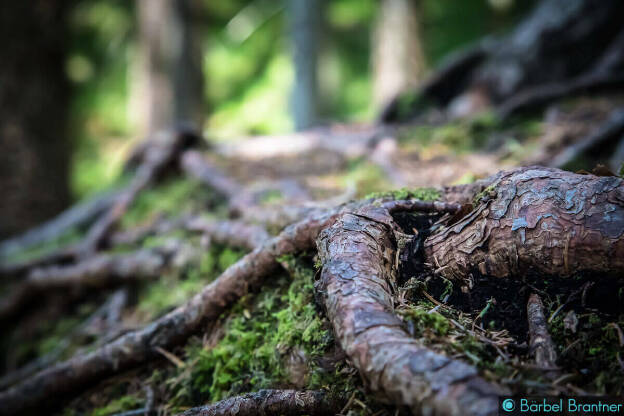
{"x":137,"y":347}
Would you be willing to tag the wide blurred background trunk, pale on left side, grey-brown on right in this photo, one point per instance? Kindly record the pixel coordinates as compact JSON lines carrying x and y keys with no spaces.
{"x":169,"y":79}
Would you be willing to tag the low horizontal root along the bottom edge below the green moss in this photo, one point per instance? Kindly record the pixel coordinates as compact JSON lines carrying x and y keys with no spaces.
{"x":272,"y":402}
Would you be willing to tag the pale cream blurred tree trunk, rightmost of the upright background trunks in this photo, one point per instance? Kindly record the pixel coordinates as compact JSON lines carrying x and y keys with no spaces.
{"x":398,"y":58}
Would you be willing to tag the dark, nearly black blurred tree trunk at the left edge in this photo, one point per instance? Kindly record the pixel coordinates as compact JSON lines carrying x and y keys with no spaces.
{"x":34,"y":96}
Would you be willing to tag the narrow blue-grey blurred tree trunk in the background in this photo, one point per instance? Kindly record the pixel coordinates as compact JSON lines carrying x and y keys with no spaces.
{"x":305,"y":20}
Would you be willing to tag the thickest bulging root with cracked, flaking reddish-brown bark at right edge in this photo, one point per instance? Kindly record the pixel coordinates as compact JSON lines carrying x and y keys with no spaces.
{"x":539,"y":220}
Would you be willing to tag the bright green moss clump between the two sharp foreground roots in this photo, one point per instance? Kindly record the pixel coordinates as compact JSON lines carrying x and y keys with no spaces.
{"x":260,"y":336}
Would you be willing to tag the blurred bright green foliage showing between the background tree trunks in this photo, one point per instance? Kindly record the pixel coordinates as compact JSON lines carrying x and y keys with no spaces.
{"x":247,"y":67}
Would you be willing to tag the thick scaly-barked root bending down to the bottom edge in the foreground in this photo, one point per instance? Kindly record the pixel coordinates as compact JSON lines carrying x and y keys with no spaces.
{"x":358,"y":254}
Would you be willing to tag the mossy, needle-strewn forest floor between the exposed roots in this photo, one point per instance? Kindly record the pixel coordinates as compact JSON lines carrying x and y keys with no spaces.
{"x":279,"y":337}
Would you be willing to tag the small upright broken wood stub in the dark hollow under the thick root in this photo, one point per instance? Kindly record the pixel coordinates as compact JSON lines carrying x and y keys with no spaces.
{"x":540,"y":342}
